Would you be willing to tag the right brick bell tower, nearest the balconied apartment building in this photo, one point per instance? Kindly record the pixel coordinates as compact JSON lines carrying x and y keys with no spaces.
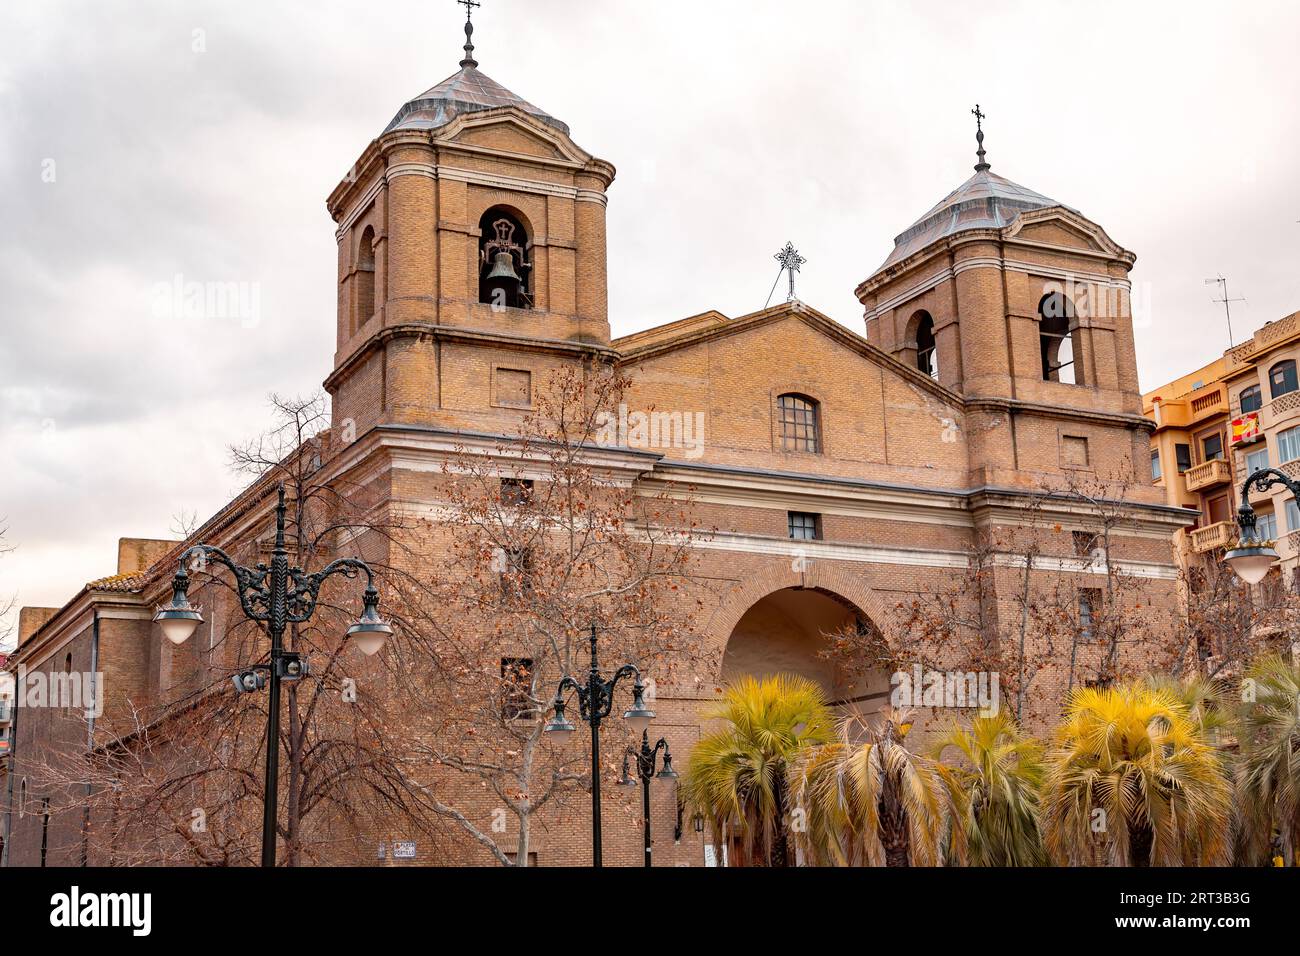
{"x":1020,"y":305}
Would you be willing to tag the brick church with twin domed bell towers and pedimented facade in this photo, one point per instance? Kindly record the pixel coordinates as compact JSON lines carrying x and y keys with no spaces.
{"x":846,"y":470}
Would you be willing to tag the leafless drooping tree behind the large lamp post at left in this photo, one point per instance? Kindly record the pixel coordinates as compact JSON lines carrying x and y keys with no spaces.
{"x":183,"y":782}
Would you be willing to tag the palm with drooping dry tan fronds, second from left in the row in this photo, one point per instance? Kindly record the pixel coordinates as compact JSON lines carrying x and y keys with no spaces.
{"x":874,"y":801}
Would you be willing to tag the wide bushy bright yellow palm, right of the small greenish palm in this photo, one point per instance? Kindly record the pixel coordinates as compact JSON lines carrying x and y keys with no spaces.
{"x":1130,"y":763}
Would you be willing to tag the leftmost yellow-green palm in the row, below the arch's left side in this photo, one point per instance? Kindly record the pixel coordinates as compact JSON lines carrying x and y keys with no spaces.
{"x":739,"y":775}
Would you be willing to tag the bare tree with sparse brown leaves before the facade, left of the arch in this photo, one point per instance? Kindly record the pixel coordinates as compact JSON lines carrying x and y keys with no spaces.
{"x":541,"y":537}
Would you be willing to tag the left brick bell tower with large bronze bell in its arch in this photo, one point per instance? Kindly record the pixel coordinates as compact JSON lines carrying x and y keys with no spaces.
{"x":471,"y":256}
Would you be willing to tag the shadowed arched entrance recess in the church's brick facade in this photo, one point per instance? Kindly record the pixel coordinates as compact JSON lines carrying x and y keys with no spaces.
{"x":791,"y":631}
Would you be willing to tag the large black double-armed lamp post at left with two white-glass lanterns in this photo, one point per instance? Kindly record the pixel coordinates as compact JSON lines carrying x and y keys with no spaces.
{"x":275,"y":596}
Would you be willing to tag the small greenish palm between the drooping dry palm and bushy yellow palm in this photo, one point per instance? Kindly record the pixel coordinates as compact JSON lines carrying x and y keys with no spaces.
{"x":995,"y":793}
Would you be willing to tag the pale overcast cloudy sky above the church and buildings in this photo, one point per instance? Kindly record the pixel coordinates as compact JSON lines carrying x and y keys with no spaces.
{"x":145,"y":144}
